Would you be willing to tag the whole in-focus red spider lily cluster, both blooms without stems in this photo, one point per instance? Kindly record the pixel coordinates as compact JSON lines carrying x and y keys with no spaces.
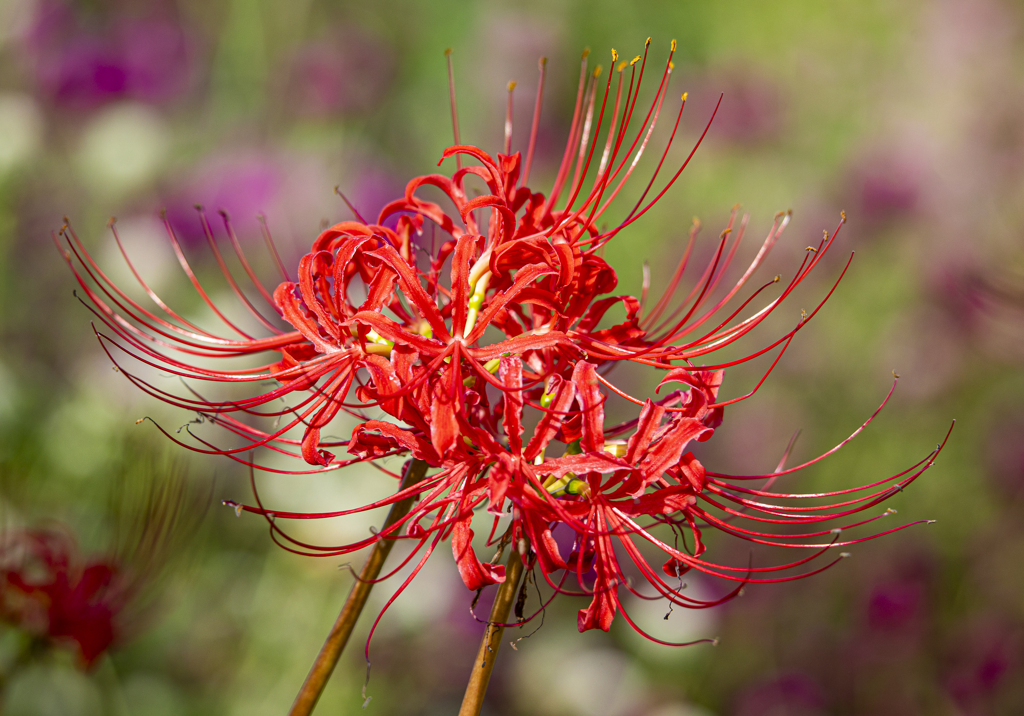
{"x":487,"y":358}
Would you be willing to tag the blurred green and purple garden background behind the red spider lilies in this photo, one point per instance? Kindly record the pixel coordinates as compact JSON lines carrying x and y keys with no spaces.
{"x":907,"y":116}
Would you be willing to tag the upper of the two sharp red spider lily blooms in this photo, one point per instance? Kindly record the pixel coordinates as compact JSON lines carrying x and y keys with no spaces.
{"x":534,"y":276}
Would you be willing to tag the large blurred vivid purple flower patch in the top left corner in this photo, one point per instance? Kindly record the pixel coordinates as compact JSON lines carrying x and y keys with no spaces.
{"x":84,"y":65}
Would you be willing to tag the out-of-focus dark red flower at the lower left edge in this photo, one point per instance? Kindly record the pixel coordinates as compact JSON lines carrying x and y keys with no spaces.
{"x":48,"y":591}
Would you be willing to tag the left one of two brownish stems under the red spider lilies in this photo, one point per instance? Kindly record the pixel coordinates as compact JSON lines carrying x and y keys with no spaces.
{"x":322,"y":669}
